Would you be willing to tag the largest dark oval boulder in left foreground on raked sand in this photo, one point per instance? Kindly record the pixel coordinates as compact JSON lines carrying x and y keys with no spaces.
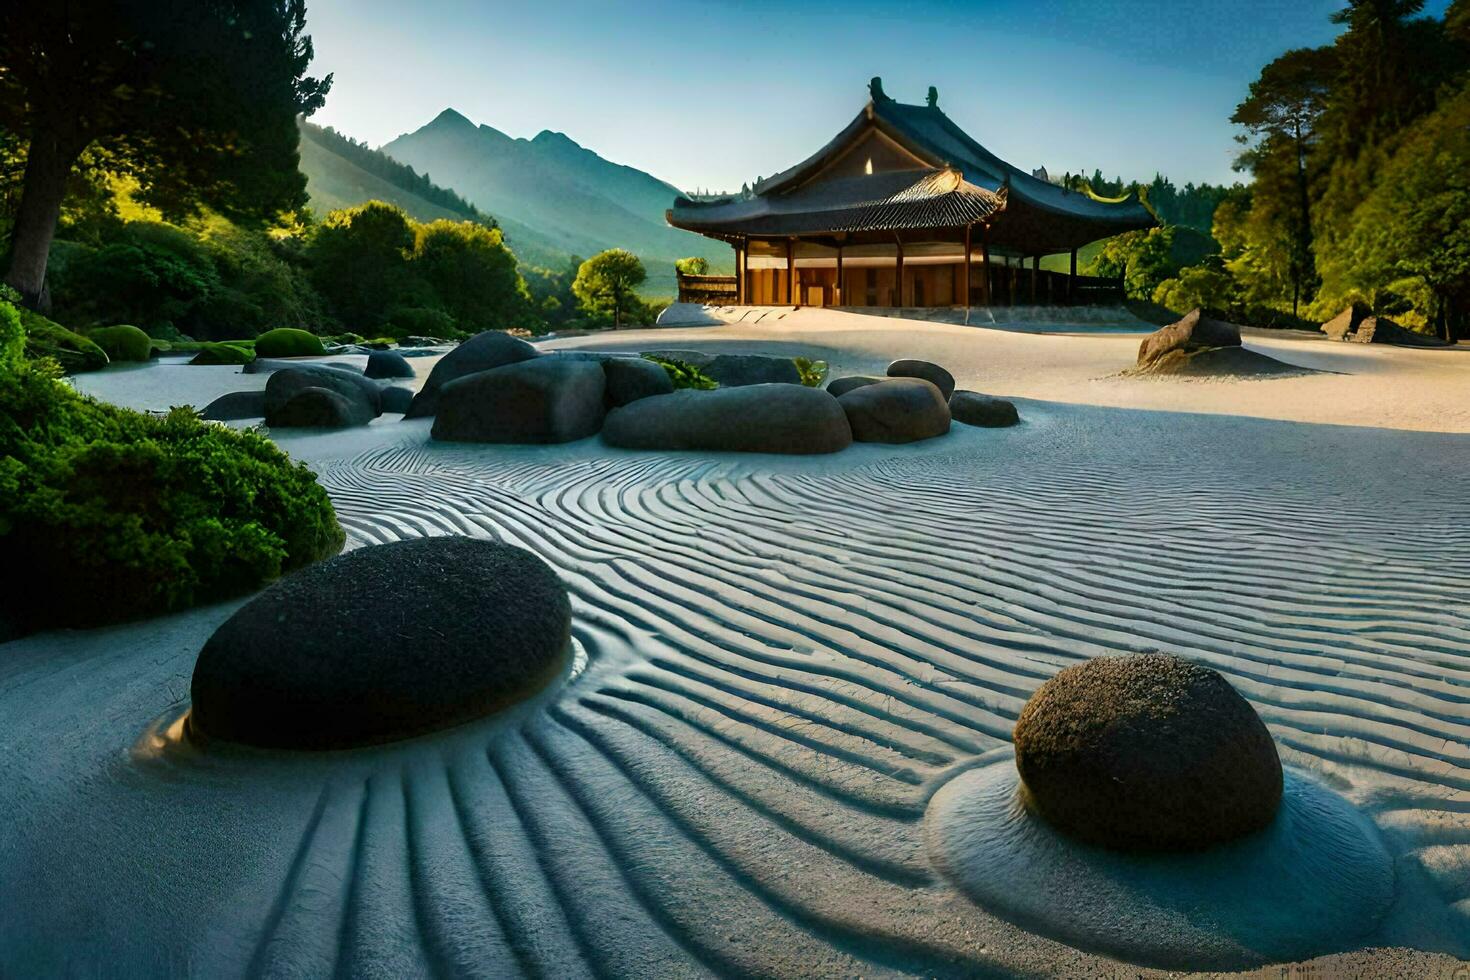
{"x":383,"y":644}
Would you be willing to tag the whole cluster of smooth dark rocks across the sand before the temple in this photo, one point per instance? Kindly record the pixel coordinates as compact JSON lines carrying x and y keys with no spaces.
{"x":499,"y":389}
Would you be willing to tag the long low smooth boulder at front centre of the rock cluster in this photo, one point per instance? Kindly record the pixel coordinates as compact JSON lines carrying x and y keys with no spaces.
{"x":775,"y":418}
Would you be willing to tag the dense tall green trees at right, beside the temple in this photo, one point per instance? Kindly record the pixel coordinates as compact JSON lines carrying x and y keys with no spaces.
{"x":1356,"y":165}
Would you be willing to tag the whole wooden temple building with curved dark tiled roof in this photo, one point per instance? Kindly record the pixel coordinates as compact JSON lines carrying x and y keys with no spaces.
{"x":905,"y":209}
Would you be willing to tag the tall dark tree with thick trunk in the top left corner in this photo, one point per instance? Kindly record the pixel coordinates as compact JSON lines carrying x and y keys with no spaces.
{"x":196,"y":99}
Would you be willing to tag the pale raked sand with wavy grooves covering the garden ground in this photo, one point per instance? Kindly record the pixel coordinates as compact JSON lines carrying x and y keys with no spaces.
{"x":789,"y":660}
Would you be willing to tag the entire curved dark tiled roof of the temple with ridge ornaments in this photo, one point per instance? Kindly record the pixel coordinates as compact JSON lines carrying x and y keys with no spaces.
{"x":942,"y":180}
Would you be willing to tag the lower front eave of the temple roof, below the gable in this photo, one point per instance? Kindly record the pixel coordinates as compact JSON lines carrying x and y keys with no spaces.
{"x":878,"y":202}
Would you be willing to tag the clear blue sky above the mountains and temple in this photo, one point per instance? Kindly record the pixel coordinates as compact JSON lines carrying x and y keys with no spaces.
{"x":708,"y":95}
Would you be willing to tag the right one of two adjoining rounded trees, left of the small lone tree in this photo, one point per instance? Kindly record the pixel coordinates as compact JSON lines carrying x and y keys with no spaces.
{"x":473,"y":273}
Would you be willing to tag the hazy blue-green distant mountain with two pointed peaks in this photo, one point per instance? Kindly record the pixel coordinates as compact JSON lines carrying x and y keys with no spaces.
{"x":567,"y":193}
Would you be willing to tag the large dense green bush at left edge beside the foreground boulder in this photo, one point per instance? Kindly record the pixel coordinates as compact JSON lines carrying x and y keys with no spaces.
{"x":110,"y":515}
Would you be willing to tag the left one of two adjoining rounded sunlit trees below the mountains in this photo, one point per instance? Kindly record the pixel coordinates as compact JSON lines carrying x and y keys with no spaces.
{"x":361,"y":264}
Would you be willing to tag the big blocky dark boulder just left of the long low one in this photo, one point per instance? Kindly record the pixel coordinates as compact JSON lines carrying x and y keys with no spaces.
{"x":543,"y":400}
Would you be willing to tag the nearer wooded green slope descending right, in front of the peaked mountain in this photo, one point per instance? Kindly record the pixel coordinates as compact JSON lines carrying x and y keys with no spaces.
{"x":337,"y":177}
